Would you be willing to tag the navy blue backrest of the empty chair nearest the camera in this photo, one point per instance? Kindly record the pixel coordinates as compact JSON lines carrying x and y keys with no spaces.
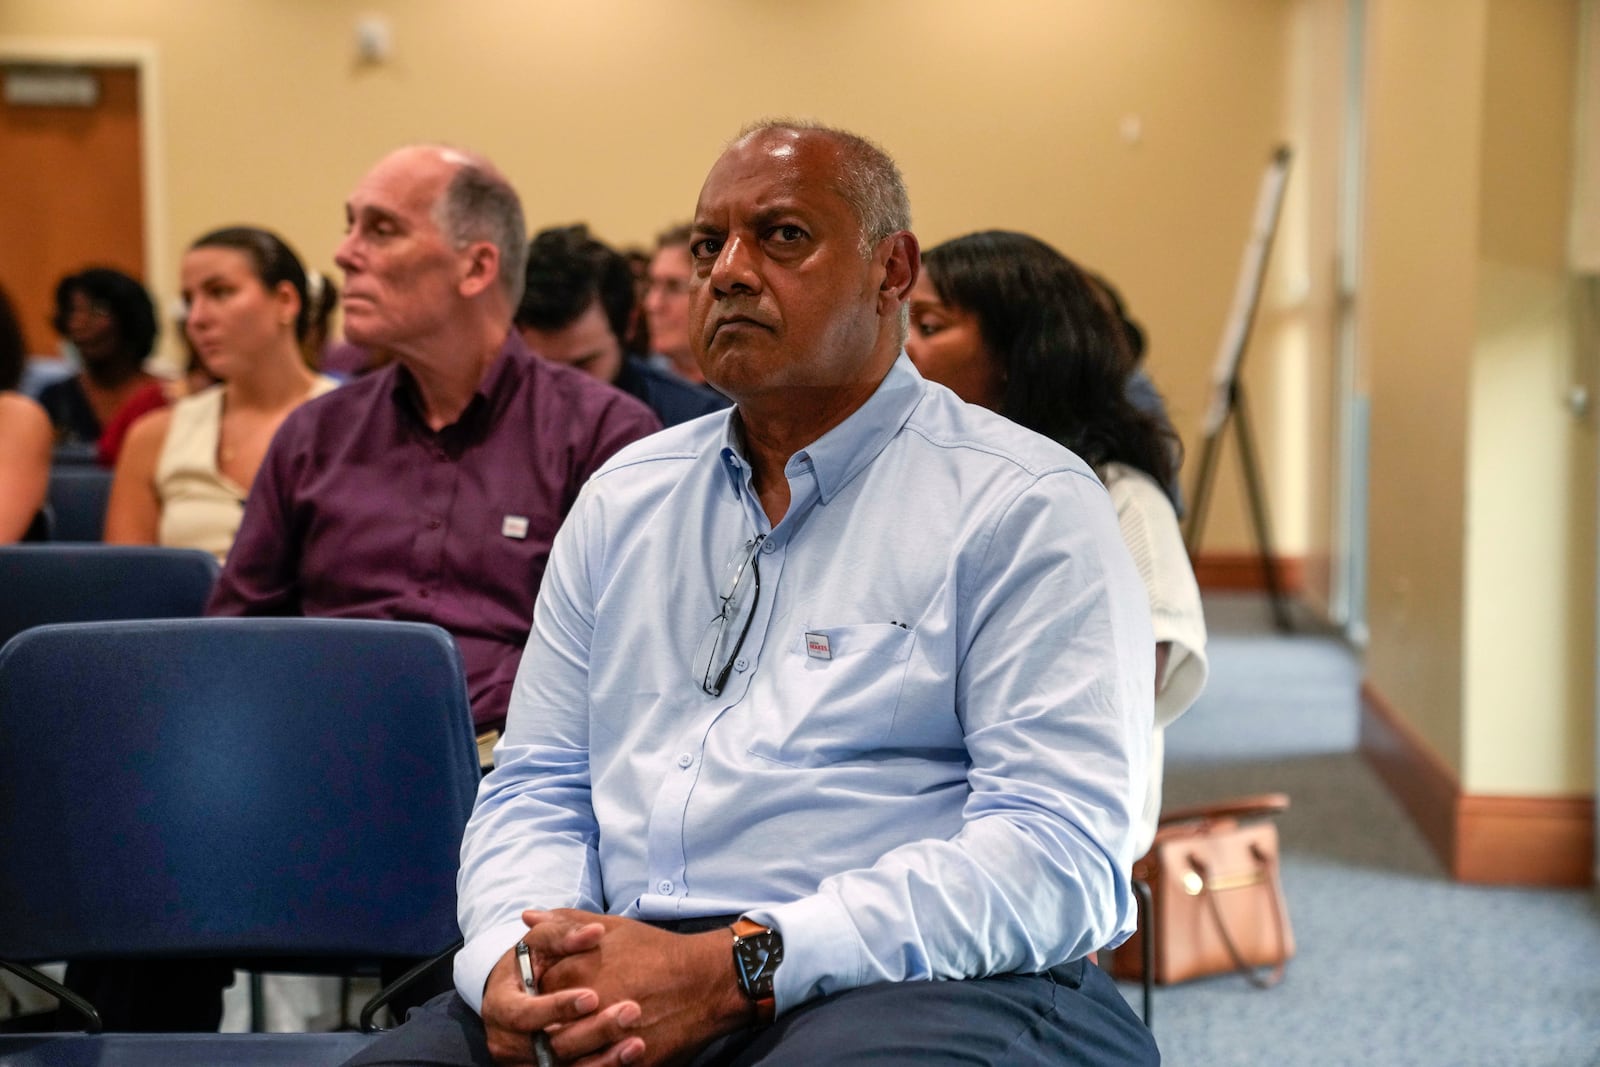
{"x":249,"y":789}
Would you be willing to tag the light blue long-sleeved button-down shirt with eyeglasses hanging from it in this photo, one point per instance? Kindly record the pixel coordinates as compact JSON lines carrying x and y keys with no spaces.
{"x":946,"y":793}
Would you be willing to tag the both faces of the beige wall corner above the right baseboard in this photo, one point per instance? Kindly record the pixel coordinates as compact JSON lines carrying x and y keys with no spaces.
{"x":1482,"y":535}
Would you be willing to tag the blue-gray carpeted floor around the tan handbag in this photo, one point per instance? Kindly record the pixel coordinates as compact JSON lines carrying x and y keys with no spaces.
{"x":1396,"y":964}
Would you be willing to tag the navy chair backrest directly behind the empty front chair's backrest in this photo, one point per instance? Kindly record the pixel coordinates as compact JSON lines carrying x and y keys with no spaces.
{"x":94,"y":583}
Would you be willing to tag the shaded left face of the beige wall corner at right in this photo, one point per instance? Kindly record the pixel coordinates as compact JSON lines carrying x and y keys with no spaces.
{"x":1417,"y":324}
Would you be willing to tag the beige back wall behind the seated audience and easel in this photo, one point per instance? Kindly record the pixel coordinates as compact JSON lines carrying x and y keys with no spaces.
{"x":610,"y":111}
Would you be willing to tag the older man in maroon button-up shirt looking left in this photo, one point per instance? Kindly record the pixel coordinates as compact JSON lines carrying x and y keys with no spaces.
{"x":430,"y":490}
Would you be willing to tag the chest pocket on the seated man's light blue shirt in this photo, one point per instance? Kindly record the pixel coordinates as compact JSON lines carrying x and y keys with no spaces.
{"x":834,"y":695}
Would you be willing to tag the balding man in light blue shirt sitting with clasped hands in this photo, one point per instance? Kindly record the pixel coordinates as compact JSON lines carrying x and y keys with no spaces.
{"x":833,"y":727}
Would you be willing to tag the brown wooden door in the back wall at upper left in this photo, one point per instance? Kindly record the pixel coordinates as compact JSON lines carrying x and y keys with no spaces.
{"x":71,"y":196}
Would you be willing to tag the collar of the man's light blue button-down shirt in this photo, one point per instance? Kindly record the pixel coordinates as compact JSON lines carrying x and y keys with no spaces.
{"x":846,"y":450}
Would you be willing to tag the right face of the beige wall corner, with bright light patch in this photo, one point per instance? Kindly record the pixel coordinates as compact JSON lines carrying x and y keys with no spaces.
{"x":1529,"y":657}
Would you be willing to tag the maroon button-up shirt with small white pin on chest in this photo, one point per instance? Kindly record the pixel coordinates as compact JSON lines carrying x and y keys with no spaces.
{"x":362,"y":511}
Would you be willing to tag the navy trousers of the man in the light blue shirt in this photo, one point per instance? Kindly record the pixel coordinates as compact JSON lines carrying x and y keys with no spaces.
{"x":1068,"y":1017}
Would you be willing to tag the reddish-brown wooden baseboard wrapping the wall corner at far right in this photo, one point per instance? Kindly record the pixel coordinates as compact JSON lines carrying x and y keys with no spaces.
{"x":1486,"y":841}
